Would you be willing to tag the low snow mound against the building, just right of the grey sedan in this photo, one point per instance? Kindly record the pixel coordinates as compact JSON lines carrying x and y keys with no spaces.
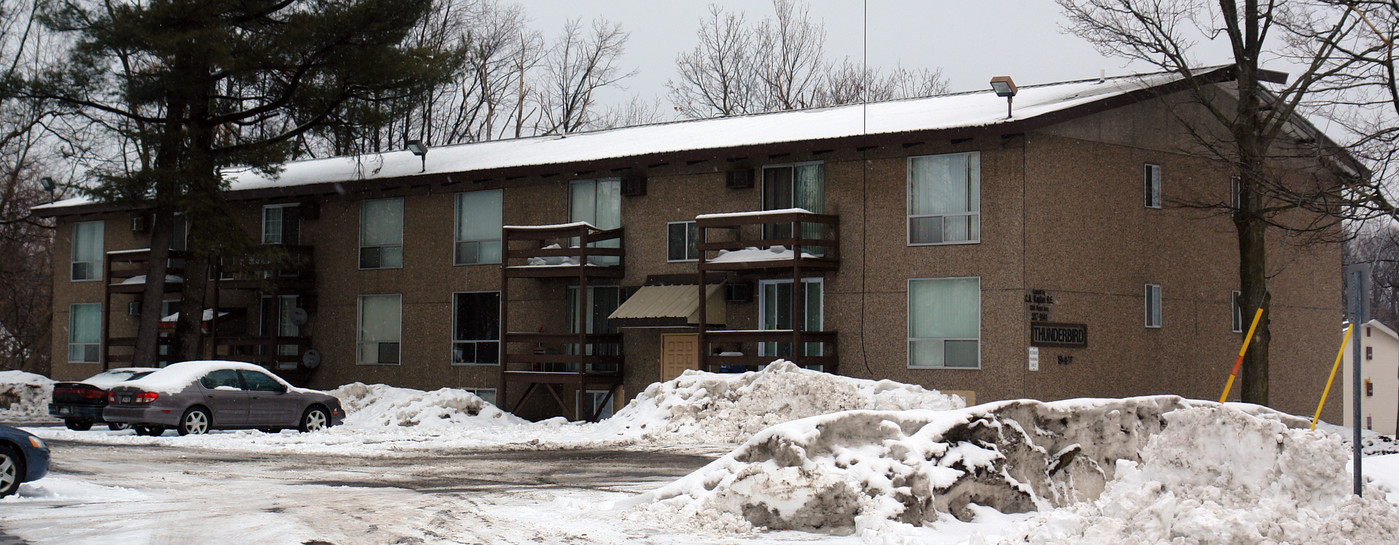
{"x":380,"y":406}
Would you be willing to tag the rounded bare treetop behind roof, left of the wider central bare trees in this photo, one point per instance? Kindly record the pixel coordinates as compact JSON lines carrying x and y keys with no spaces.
{"x":578,"y":66}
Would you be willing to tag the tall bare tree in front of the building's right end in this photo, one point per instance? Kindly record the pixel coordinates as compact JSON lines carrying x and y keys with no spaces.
{"x":1254,"y":129}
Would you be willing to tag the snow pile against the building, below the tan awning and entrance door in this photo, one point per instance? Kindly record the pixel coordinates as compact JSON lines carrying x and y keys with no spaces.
{"x":732,"y":407}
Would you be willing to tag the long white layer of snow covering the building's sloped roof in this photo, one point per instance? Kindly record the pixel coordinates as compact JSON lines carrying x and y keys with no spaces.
{"x":945,"y":112}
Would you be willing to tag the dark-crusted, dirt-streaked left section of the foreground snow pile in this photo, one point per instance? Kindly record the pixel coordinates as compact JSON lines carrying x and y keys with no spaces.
{"x":841,"y":472}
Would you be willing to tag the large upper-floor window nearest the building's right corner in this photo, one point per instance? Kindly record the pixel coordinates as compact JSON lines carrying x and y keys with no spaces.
{"x":945,"y":199}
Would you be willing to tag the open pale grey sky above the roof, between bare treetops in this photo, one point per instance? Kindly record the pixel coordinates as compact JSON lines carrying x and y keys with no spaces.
{"x":970,"y":41}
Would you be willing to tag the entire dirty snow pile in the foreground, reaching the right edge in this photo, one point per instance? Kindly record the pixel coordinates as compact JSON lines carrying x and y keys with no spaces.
{"x":1102,"y":472}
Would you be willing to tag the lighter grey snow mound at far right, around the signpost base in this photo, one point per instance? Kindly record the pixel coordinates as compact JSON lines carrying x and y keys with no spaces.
{"x":1216,"y":476}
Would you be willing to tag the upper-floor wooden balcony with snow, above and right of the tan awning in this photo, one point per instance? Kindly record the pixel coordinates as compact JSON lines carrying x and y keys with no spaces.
{"x":767,"y":241}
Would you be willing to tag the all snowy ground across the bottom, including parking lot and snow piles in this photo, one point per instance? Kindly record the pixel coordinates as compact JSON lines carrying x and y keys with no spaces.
{"x":807,"y":458}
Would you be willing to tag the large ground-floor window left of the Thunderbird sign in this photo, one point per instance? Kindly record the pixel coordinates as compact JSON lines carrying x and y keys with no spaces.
{"x":945,"y":324}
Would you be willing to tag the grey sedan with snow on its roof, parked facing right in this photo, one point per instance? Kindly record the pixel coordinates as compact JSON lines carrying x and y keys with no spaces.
{"x":197,"y":398}
